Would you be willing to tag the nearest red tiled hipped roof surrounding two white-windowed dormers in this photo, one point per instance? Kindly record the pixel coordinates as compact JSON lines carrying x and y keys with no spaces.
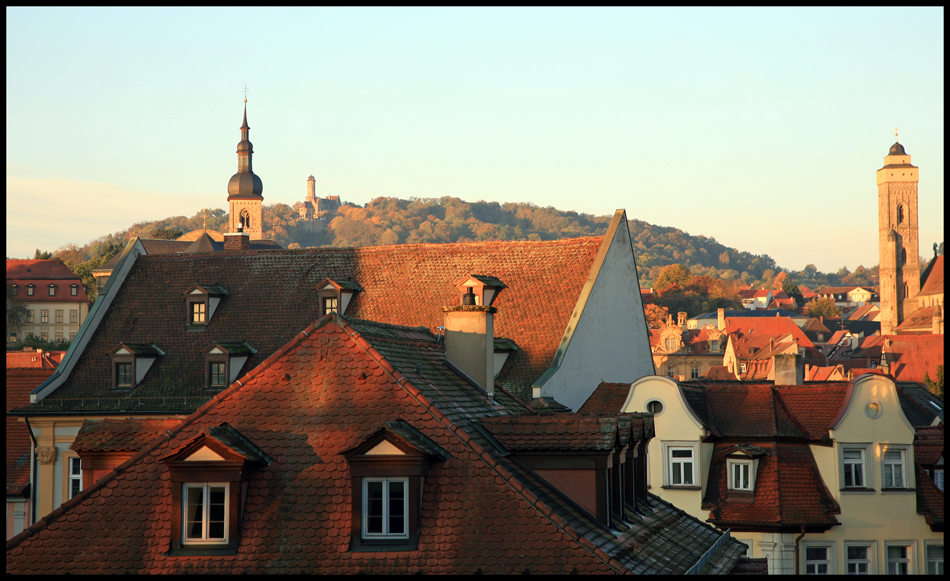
{"x":319,"y":395}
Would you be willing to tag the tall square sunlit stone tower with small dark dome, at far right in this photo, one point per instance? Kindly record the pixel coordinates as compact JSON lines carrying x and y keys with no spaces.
{"x":897,"y":237}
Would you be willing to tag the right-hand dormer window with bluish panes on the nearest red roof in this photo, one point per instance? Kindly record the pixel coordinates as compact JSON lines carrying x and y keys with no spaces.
{"x":387,"y":470}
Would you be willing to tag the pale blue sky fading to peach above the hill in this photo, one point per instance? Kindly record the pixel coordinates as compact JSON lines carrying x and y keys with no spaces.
{"x":761,"y":128}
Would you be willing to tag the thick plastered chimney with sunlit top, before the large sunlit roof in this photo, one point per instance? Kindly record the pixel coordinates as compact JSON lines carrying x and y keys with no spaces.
{"x":470,"y":331}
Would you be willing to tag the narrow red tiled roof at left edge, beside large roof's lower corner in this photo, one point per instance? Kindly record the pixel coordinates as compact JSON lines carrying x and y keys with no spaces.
{"x":20,"y":382}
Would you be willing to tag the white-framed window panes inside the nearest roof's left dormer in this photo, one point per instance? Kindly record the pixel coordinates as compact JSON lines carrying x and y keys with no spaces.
{"x":205,"y":519}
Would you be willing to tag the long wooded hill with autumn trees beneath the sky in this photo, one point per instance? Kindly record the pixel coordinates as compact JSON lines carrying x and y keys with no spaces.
{"x":438,"y":220}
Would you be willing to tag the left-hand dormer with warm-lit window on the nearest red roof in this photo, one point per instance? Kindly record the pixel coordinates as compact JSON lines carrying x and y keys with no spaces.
{"x":209,"y":477}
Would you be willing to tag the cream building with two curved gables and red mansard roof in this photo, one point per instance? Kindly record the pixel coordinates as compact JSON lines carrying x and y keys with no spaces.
{"x":845,"y":479}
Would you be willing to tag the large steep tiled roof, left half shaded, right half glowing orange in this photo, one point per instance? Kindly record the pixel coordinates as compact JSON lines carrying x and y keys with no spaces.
{"x":272,"y":293}
